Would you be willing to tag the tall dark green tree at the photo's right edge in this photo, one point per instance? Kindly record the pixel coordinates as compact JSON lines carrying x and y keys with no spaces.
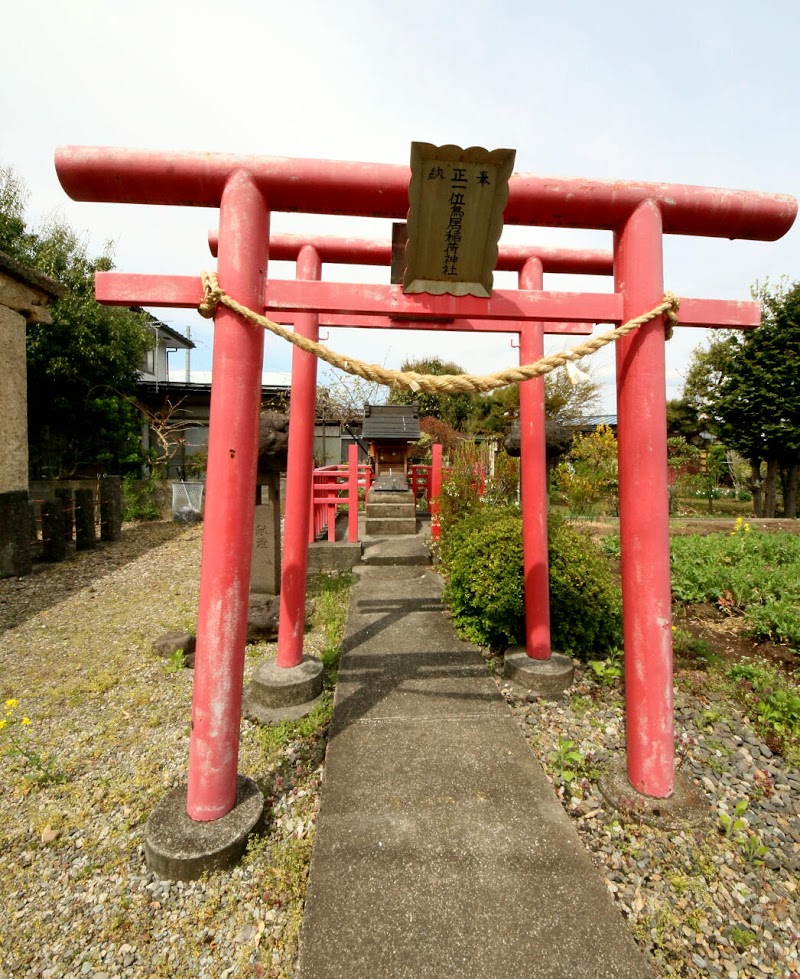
{"x":749,"y":387}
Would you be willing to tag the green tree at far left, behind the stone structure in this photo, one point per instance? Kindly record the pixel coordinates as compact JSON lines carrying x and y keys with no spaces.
{"x":82,"y":369}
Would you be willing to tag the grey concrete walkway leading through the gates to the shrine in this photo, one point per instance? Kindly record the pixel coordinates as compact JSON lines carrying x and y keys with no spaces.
{"x":441,"y":850}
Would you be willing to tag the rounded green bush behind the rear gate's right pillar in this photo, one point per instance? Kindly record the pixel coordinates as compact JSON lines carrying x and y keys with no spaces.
{"x":482,"y":561}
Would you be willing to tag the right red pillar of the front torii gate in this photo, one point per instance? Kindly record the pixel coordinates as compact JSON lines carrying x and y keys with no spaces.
{"x":644,"y":512}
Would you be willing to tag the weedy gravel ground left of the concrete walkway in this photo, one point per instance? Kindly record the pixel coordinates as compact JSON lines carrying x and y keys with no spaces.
{"x":76,"y":898}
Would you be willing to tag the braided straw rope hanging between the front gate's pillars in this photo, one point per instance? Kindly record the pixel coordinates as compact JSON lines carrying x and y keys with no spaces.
{"x":214,"y":296}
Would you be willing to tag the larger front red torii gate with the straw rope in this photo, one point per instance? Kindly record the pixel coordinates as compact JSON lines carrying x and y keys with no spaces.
{"x":247,"y":189}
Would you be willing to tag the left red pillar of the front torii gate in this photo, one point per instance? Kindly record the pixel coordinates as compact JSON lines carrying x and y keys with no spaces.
{"x":230,"y":501}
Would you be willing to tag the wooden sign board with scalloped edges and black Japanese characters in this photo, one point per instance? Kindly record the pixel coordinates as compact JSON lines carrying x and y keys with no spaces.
{"x":455,"y":218}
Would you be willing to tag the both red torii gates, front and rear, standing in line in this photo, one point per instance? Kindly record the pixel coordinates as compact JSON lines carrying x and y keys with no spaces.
{"x":246,"y":190}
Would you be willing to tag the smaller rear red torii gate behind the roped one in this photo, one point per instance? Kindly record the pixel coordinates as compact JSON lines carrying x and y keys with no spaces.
{"x":529,"y":263}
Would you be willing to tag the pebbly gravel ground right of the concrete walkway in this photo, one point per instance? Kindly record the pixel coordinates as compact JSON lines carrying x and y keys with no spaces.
{"x":702,"y":901}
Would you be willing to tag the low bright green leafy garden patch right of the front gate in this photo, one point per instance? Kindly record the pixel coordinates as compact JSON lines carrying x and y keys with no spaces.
{"x":745,"y":572}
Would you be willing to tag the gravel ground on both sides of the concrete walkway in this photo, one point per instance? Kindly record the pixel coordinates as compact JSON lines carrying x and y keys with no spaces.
{"x":77,"y":900}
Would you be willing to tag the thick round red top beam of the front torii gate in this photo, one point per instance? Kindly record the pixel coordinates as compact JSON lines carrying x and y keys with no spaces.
{"x":91,"y":173}
